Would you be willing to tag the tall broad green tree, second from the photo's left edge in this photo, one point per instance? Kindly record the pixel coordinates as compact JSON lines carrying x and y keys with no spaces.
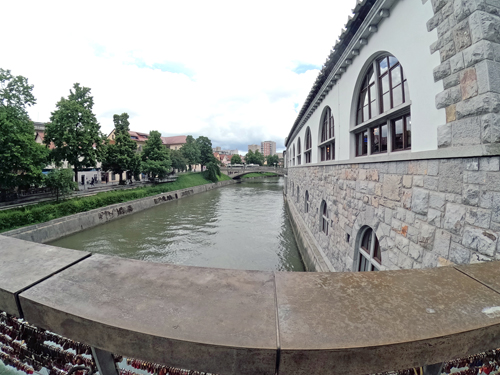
{"x":75,"y":132}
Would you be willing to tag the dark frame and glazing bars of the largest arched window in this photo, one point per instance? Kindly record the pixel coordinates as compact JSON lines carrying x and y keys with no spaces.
{"x":383,"y":118}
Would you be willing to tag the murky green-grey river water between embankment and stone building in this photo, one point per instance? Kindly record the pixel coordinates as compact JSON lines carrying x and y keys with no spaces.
{"x":242,"y":226}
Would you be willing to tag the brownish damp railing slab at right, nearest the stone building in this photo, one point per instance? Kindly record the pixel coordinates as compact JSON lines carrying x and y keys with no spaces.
{"x":352,"y":323}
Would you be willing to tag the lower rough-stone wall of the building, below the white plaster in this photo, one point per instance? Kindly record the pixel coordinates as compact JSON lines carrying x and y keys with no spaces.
{"x":425,"y":213}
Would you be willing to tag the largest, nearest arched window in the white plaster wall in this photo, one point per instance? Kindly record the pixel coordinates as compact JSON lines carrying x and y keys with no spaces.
{"x":384,"y":88}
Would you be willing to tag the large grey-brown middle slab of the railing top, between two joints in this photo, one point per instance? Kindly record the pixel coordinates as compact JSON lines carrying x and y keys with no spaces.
{"x":213,"y":320}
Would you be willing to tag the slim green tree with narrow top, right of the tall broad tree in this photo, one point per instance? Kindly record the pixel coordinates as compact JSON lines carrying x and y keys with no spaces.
{"x":121,"y":156}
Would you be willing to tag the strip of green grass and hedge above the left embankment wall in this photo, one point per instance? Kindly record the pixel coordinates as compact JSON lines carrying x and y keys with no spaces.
{"x":42,"y":212}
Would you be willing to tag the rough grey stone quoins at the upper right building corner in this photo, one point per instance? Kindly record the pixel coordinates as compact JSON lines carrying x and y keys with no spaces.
{"x":469,"y":47}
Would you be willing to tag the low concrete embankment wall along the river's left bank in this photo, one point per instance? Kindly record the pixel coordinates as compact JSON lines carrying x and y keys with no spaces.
{"x":54,"y":229}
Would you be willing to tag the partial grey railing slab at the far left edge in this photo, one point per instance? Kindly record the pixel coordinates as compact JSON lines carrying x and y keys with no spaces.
{"x":23,"y":264}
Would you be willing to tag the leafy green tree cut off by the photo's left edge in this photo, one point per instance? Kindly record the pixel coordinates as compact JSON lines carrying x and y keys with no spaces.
{"x":21,"y":158}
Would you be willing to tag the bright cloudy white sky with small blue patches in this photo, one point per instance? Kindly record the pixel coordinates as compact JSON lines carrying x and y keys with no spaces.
{"x":235,"y":71}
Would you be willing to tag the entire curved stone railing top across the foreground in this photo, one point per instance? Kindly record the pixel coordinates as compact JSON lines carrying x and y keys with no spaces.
{"x":252,"y":322}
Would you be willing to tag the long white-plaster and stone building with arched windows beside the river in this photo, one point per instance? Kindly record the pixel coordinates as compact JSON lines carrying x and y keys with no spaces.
{"x":401,"y":130}
